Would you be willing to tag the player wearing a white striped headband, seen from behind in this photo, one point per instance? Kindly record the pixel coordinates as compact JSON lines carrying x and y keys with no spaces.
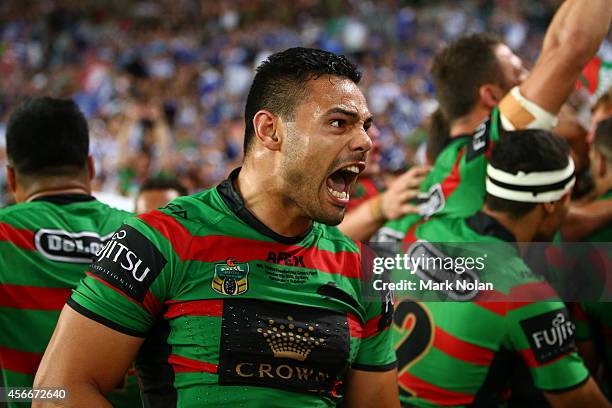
{"x":464,"y":353}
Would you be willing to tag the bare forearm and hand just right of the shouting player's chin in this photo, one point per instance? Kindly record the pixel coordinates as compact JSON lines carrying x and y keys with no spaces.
{"x":361,"y":223}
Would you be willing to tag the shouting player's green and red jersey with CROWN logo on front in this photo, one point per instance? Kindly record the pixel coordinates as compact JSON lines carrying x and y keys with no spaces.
{"x":233,"y":313}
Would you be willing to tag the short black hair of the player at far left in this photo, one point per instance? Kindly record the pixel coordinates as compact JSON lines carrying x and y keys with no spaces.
{"x":47,"y":136}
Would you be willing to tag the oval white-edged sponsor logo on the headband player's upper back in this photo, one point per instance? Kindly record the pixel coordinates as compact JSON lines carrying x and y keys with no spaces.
{"x":432,"y":270}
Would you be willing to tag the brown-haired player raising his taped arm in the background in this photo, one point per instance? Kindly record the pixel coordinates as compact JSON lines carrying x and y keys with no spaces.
{"x":482,"y":88}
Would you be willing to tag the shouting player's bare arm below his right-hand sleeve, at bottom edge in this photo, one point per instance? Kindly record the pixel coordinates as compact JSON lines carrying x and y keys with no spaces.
{"x":371,"y":389}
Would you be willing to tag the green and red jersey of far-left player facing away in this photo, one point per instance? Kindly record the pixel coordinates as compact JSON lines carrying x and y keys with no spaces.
{"x":45,"y":247}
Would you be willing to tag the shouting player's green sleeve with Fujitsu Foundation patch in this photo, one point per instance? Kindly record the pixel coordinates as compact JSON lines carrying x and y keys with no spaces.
{"x":129,"y":280}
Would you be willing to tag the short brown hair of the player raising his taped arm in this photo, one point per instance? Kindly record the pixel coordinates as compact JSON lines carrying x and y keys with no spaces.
{"x":461,"y":68}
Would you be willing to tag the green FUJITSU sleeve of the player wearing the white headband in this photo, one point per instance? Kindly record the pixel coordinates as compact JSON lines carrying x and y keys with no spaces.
{"x":542,"y":333}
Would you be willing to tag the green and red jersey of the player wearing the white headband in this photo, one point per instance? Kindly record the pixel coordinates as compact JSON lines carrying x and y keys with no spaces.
{"x":462,"y":354}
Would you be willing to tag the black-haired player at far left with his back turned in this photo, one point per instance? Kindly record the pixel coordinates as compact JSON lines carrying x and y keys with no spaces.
{"x":50,"y":236}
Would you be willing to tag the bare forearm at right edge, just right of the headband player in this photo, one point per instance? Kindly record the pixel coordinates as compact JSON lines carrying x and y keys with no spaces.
{"x":585,"y":219}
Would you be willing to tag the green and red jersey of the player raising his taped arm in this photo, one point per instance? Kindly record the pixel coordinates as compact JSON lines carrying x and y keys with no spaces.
{"x":455,"y":186}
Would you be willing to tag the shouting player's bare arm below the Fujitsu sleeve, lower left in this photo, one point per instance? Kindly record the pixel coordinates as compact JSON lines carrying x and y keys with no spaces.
{"x":87,"y":359}
